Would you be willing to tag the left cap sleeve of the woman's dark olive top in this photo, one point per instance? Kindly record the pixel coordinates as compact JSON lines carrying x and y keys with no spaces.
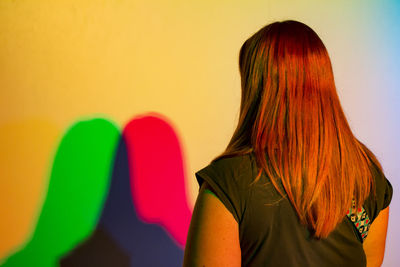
{"x":227,"y":178}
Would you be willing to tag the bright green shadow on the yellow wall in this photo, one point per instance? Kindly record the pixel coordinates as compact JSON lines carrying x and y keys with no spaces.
{"x":79,"y":181}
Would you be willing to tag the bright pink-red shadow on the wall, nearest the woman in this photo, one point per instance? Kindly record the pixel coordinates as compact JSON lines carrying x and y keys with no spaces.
{"x":157,"y":174}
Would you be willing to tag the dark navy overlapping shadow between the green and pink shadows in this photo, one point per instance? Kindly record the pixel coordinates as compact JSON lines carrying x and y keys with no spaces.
{"x":146,"y":244}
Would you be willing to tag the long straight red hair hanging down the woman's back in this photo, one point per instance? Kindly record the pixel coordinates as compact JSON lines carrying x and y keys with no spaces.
{"x":291,"y":118}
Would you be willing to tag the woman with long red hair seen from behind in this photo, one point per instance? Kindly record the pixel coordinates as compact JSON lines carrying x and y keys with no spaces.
{"x":294,"y":187}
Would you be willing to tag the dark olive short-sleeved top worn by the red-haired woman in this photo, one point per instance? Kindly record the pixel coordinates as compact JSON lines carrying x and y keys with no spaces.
{"x":269,"y":229}
